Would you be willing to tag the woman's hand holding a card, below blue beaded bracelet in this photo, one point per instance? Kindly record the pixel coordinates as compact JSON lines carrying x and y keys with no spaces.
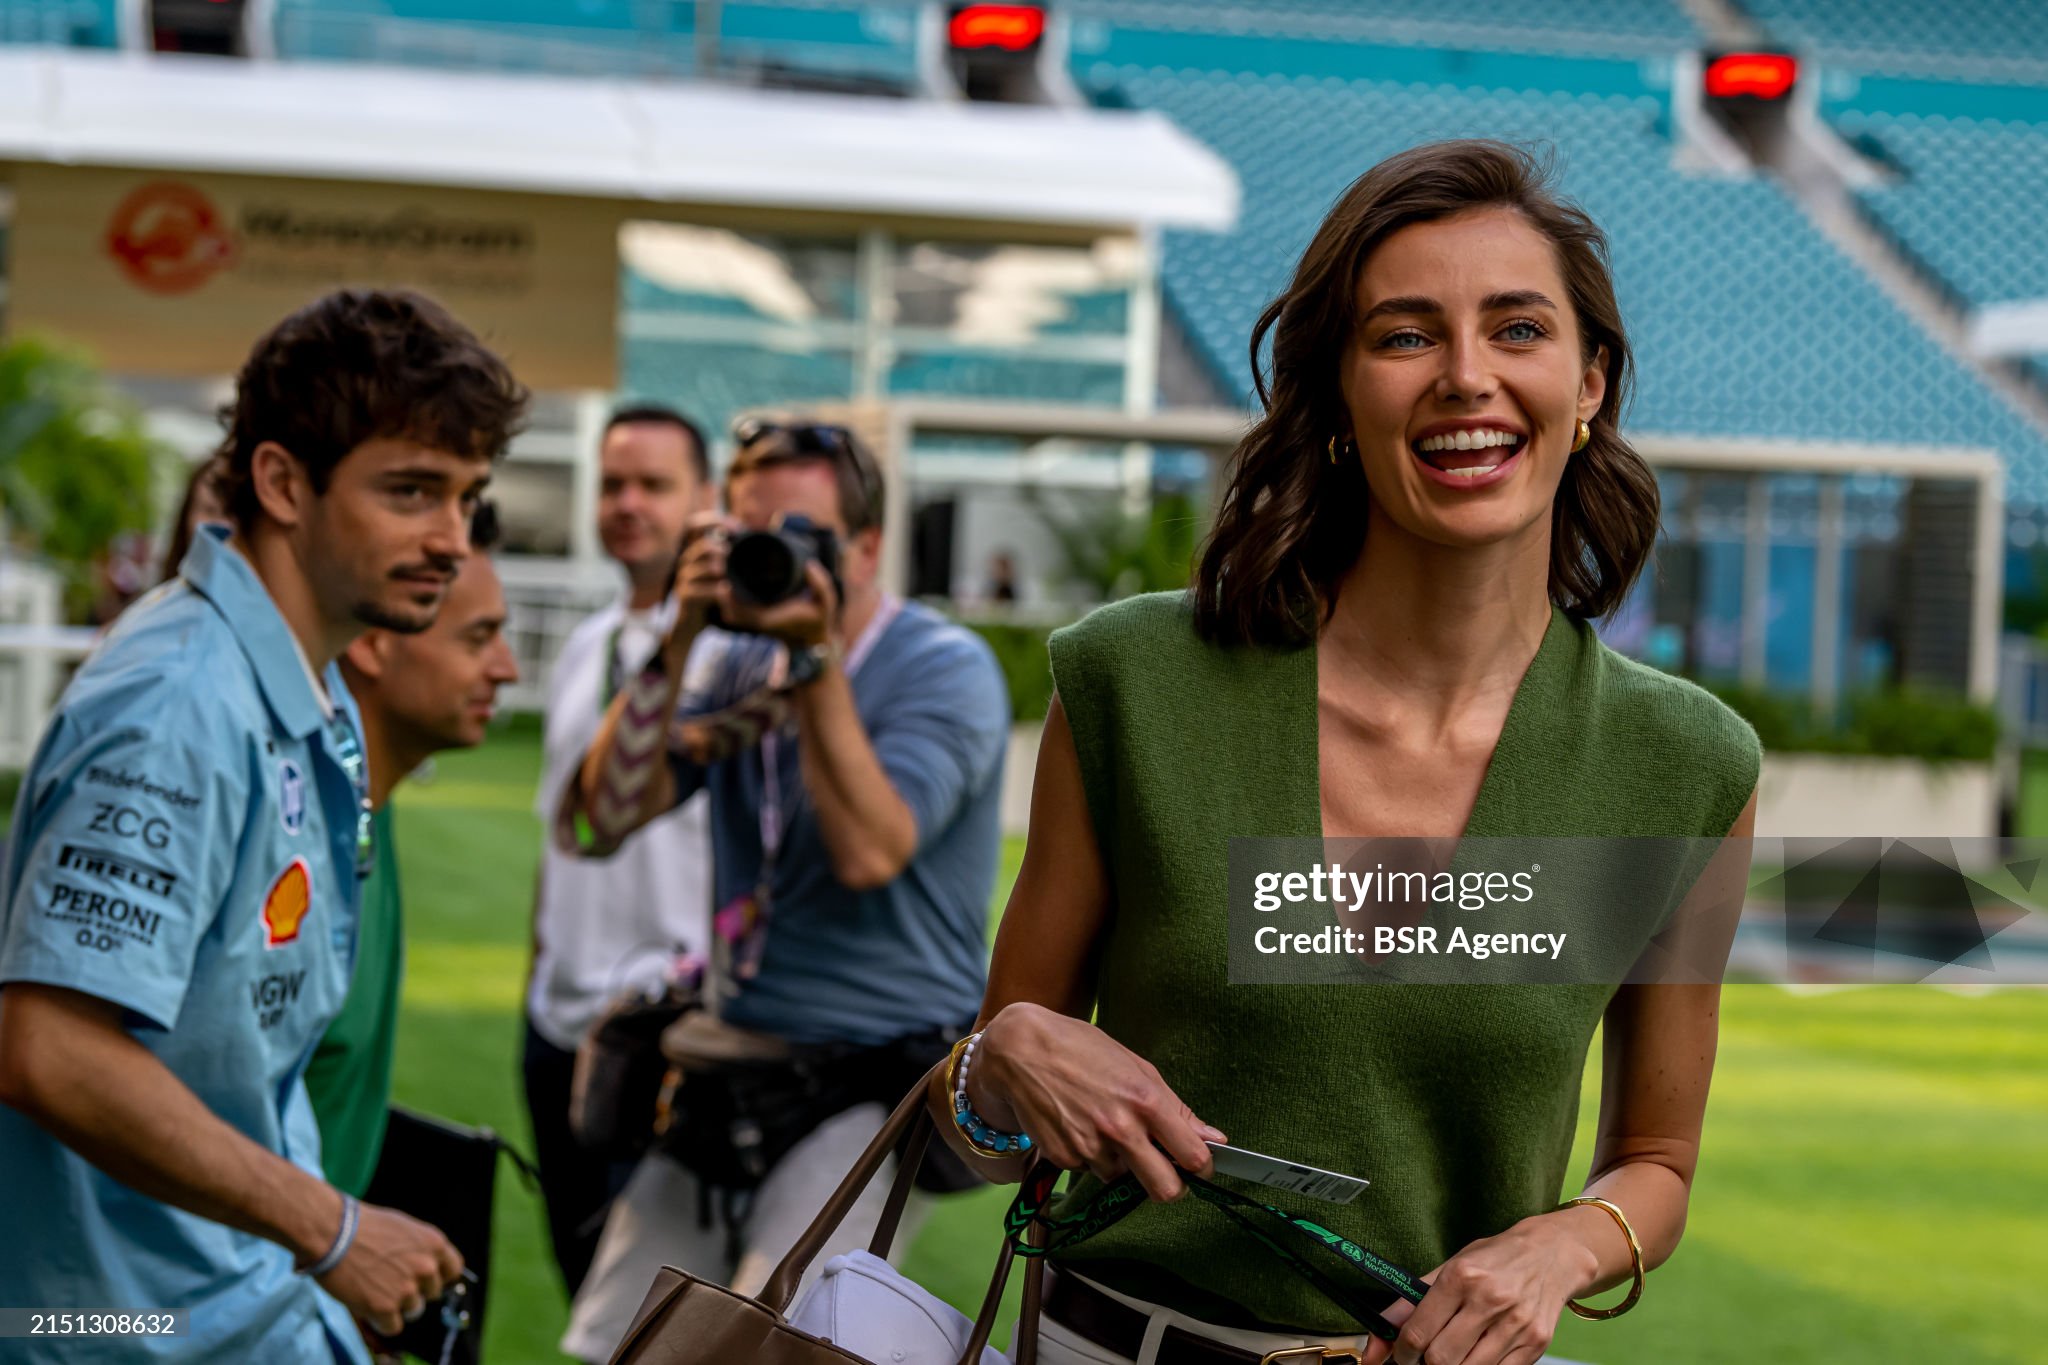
{"x":1086,"y":1100}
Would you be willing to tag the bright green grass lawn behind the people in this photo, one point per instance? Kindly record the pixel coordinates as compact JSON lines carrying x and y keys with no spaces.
{"x":1875,"y":1182}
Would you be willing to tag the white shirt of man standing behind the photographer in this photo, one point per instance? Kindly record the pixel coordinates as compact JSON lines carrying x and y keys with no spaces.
{"x":613,"y":924}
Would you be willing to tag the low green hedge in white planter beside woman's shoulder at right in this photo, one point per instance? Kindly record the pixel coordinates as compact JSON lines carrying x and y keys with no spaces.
{"x":1895,"y":721}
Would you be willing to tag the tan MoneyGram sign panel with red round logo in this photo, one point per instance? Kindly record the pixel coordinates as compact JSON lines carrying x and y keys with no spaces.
{"x":181,"y":273}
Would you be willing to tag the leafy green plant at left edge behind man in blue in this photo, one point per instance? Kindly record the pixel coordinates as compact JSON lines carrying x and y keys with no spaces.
{"x":77,"y":466}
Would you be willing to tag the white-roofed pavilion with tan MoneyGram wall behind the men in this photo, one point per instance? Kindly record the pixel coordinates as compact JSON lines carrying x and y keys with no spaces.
{"x":331,"y":155}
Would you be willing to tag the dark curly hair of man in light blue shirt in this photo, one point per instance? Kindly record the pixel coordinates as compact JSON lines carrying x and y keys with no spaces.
{"x":366,"y":365}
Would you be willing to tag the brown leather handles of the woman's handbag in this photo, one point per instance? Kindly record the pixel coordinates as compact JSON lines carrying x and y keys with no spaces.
{"x":908,"y":1135}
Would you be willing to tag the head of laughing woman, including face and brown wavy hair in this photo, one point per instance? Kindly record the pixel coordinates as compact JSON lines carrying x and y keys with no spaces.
{"x":1512,"y":326}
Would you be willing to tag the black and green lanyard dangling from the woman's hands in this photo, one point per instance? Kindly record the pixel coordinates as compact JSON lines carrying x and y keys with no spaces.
{"x":1263,"y":1221}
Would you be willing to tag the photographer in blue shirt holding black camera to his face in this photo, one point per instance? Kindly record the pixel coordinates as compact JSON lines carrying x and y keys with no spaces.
{"x":855,"y":852}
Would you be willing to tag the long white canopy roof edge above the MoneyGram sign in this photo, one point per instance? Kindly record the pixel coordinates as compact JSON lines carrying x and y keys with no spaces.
{"x":609,"y":138}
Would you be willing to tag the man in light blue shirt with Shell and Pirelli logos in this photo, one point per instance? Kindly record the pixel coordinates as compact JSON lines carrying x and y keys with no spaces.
{"x":179,"y":904}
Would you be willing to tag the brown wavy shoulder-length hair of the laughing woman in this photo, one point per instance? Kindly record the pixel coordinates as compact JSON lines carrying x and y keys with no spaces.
{"x":1289,"y":527}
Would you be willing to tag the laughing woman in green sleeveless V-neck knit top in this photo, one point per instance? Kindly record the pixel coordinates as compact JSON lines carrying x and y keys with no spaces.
{"x":1388,"y":637}
